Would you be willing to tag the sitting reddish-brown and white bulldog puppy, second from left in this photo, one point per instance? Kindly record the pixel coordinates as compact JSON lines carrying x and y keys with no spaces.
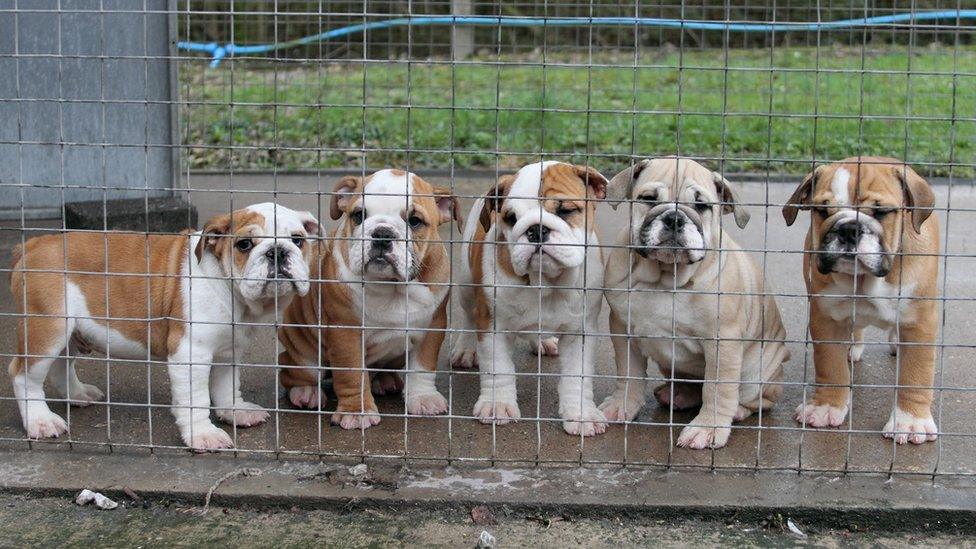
{"x":387,"y":270}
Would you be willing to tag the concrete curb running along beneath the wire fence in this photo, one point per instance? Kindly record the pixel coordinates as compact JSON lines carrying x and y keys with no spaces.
{"x":853,"y":501}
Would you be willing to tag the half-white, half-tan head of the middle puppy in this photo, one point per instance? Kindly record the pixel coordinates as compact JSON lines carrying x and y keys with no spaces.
{"x":546,"y":214}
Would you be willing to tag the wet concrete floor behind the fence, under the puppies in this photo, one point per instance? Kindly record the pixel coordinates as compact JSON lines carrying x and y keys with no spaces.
{"x":780,"y":444}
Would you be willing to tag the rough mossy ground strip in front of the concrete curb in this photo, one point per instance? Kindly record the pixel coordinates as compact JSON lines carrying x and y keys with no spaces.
{"x":168,"y":523}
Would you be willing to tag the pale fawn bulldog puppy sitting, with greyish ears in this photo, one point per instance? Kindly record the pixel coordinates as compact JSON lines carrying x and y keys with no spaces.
{"x":684,"y":296}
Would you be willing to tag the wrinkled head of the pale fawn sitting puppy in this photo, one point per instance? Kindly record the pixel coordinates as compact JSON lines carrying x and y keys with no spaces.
{"x":676,"y":206}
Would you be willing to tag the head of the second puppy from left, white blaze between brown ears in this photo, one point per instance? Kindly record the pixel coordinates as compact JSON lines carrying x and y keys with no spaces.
{"x":390,"y":221}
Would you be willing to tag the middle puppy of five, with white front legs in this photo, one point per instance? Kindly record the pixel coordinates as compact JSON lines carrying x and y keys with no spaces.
{"x":529,"y":243}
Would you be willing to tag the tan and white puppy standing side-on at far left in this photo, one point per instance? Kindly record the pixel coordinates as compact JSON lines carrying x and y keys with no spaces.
{"x":178,"y":297}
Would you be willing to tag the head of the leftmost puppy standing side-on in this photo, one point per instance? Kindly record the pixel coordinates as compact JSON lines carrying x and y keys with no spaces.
{"x":264,"y":248}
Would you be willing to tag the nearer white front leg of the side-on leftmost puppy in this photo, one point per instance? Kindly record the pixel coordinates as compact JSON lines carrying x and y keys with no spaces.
{"x":189,"y":375}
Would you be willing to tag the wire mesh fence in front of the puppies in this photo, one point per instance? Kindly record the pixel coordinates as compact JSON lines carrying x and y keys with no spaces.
{"x":553,"y":286}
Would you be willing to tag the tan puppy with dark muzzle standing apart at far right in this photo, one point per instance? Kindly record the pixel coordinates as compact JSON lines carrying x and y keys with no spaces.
{"x":872,"y":259}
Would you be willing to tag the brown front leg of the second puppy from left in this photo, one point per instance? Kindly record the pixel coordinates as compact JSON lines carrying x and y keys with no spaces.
{"x":356,"y":408}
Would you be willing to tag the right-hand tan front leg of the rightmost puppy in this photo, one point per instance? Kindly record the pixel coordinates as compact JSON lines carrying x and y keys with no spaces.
{"x":911,"y":419}
